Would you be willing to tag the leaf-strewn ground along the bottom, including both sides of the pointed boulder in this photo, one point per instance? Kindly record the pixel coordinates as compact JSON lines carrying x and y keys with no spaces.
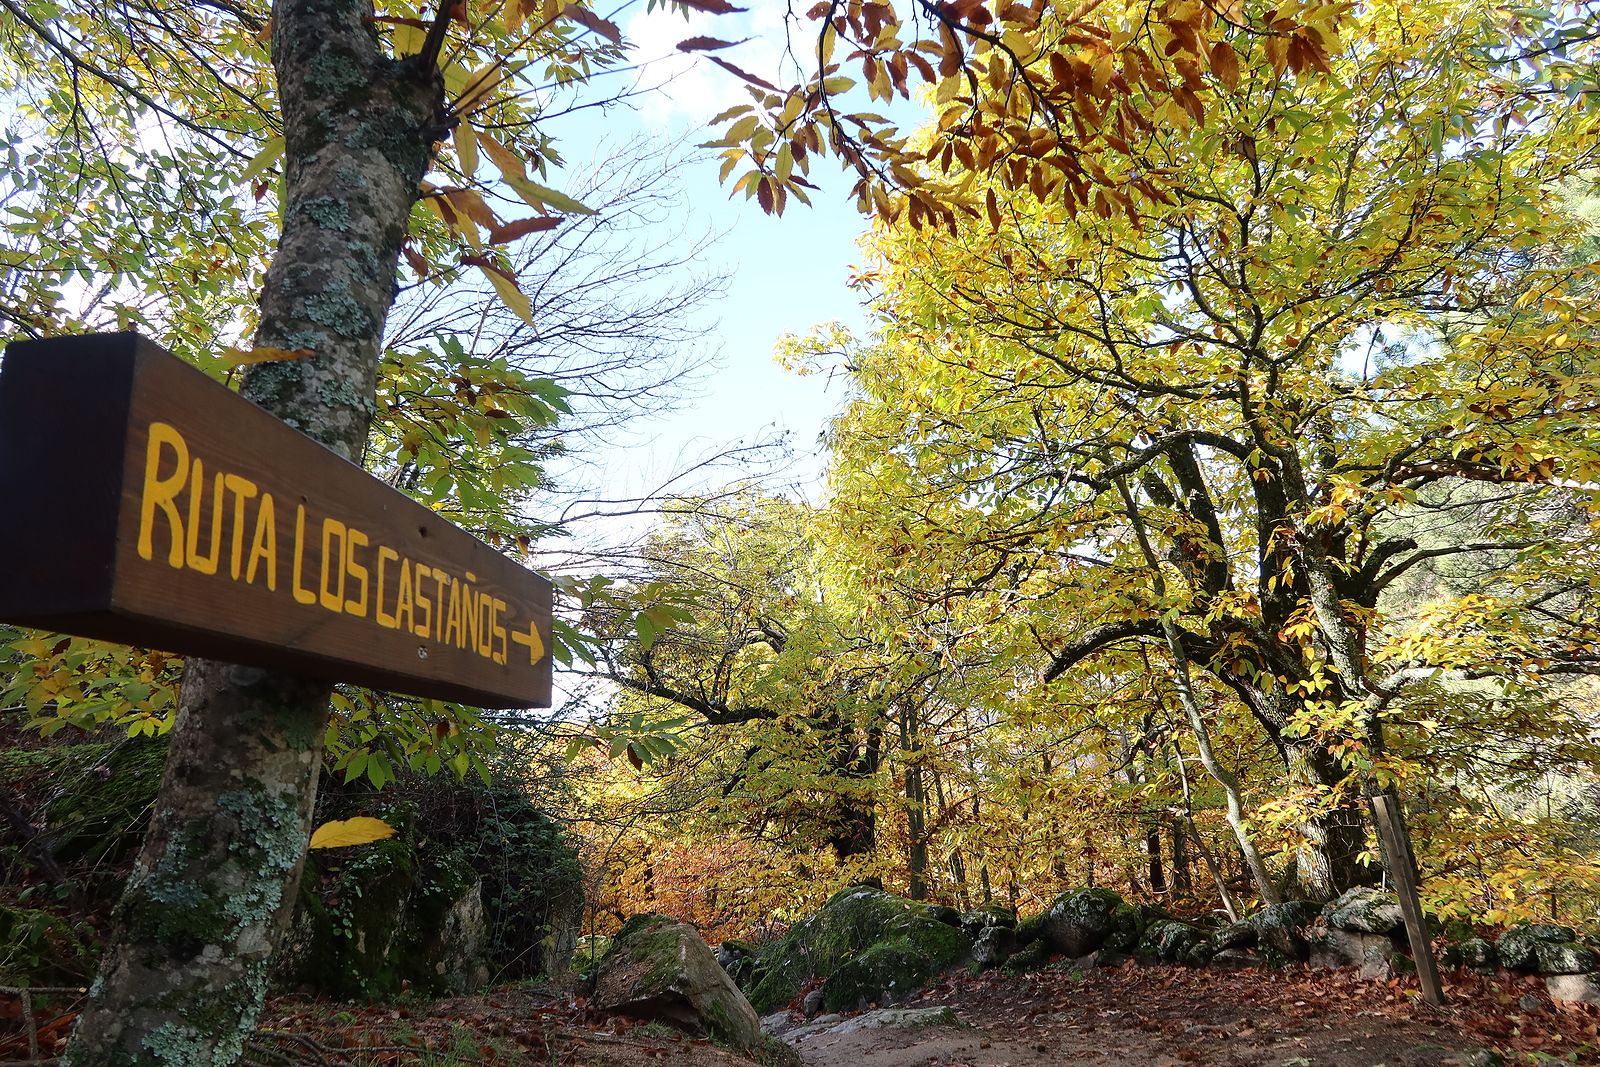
{"x":1122,"y":1017}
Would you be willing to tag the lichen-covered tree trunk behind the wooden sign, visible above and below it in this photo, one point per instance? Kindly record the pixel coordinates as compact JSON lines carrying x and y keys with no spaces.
{"x":186,"y":969}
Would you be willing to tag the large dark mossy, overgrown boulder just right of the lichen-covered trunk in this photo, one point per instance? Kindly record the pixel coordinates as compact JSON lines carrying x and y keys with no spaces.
{"x":478,"y":884}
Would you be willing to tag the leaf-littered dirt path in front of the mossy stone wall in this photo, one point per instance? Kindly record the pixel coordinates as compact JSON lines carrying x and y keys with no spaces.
{"x":1169,"y":1017}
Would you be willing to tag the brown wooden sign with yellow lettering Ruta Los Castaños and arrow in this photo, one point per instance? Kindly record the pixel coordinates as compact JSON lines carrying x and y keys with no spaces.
{"x":148,"y":505}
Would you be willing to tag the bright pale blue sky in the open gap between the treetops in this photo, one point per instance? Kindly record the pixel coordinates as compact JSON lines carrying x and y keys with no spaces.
{"x":785,"y":276}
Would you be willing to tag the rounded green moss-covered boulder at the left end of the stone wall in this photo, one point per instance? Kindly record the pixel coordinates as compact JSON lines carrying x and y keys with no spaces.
{"x":866,"y":945}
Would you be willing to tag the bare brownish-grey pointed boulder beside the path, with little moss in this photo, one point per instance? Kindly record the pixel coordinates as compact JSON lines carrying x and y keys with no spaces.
{"x":662,"y":970}
